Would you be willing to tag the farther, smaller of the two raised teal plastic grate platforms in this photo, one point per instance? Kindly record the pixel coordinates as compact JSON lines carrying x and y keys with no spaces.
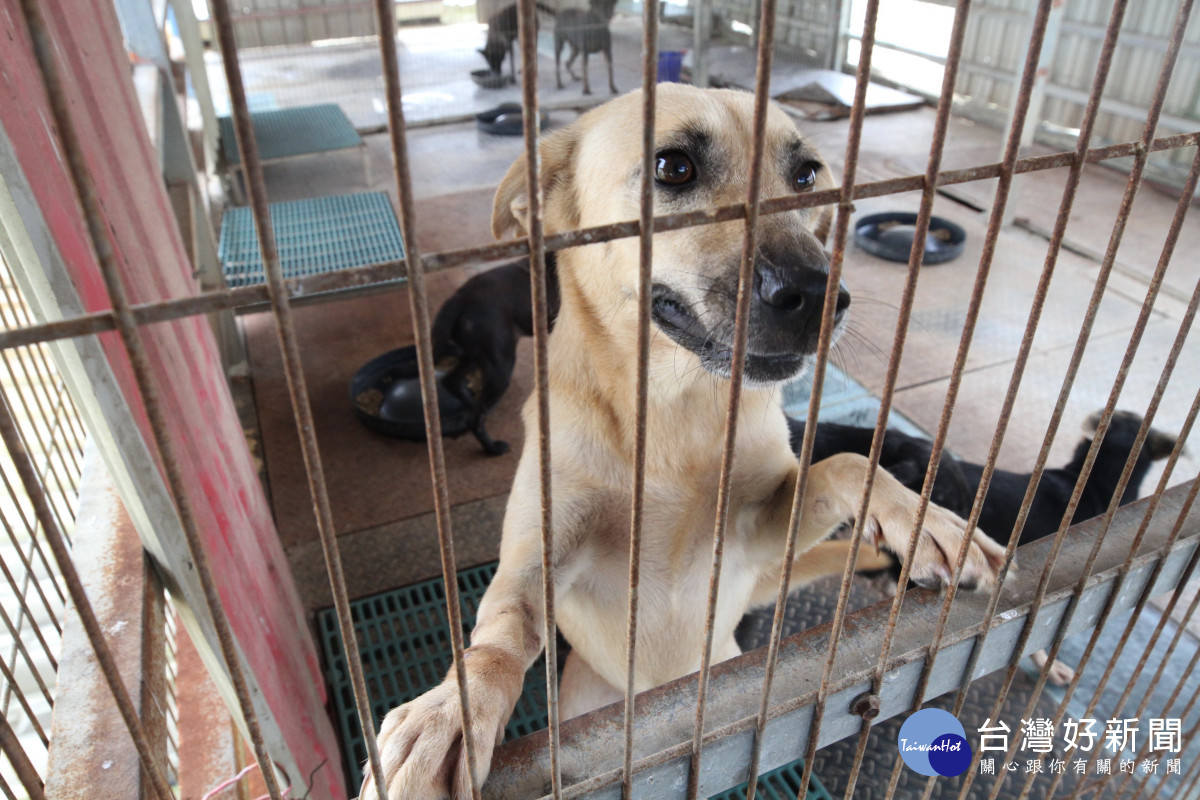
{"x":286,"y":133}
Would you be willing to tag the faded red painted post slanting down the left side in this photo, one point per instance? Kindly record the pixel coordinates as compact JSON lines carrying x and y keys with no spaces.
{"x":231,"y":508}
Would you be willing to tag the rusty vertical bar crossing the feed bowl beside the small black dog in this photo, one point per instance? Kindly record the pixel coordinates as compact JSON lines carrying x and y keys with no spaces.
{"x":419,"y":309}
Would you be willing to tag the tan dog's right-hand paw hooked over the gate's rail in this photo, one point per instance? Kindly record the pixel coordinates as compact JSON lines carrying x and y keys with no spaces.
{"x":890,"y":526}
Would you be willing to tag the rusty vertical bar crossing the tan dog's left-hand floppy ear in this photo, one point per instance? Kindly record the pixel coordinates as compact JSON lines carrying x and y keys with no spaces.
{"x":527,"y":22}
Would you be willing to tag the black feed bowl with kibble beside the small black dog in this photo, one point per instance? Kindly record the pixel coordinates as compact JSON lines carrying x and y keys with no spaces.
{"x":387,"y":398}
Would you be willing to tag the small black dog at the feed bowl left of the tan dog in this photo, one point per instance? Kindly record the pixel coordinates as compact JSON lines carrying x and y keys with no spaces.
{"x":476,"y":336}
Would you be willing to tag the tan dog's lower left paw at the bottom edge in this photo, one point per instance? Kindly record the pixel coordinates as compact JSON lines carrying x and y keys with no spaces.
{"x":422,"y":743}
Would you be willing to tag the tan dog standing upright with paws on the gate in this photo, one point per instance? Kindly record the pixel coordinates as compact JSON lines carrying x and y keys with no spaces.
{"x":591,"y":175}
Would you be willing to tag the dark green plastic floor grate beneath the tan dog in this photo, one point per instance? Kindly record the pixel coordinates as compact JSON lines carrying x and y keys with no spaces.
{"x":405,"y":642}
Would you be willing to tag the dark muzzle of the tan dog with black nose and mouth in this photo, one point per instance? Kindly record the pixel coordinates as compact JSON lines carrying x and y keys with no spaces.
{"x":784,"y":330}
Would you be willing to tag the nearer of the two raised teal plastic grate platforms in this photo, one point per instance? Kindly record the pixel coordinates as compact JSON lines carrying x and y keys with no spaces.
{"x":316,"y":236}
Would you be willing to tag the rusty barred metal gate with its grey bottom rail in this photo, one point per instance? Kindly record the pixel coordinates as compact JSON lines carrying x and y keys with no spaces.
{"x":723,"y":727}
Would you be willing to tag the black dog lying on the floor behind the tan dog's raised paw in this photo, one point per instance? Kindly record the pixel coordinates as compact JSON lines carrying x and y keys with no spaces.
{"x":957,"y":482}
